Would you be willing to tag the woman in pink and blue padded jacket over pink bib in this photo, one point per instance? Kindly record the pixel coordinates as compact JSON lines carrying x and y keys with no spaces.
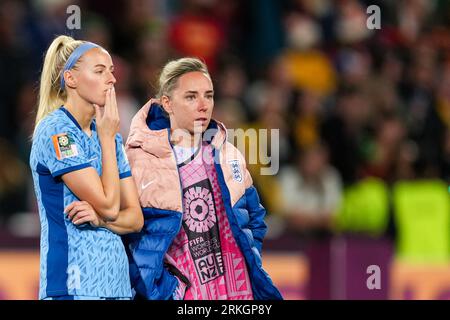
{"x":204,"y":224}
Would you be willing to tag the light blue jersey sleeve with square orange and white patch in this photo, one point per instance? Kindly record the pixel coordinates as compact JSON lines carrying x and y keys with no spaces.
{"x":62,"y":150}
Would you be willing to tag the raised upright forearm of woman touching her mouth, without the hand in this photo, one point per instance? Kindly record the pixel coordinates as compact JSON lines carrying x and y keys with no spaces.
{"x":110,"y":179}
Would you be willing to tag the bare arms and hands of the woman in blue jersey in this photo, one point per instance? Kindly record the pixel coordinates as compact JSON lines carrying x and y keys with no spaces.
{"x":107,"y":201}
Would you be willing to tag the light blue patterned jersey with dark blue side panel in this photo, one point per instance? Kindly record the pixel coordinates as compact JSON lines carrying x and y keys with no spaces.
{"x":74,"y":260}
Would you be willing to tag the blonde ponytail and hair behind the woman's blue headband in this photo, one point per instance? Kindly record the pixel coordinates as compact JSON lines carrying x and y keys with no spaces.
{"x":51,"y":96}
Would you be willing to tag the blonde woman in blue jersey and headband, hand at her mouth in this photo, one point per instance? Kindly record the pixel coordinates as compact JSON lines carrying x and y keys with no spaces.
{"x":86,"y":194}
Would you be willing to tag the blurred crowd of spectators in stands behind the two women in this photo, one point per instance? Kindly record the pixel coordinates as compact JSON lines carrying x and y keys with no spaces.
{"x":358,"y":110}
